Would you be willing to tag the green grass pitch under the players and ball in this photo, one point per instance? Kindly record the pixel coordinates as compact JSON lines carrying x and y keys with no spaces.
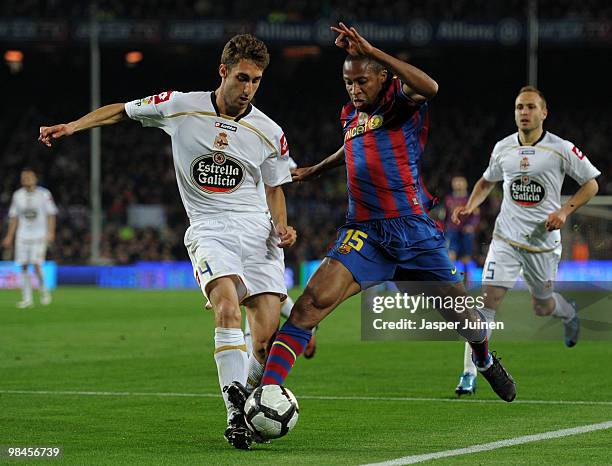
{"x":148,"y":391}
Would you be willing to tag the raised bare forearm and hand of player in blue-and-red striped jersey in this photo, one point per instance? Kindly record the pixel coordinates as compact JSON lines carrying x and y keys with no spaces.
{"x":417,"y":84}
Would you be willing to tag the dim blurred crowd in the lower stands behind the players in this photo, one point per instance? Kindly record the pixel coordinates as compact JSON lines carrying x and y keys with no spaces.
{"x":316,"y":209}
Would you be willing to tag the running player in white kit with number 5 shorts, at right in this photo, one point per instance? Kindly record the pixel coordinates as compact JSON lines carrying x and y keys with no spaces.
{"x":532,"y":164}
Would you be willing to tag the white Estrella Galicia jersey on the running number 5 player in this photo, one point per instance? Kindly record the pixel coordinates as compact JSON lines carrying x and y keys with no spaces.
{"x":533,"y":176}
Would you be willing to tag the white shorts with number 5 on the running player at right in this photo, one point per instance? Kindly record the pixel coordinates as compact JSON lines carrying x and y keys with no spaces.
{"x":505,"y":262}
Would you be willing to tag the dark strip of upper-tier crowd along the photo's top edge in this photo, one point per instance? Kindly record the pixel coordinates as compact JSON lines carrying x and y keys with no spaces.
{"x":302,"y":10}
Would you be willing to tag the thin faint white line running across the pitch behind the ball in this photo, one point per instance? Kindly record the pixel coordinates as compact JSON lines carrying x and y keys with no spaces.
{"x":305,"y":397}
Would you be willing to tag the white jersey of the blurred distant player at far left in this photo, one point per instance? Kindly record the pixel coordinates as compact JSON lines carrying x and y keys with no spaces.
{"x":32,"y":210}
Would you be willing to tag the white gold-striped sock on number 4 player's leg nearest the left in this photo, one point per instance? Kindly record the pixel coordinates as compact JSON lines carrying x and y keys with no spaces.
{"x":231,"y":358}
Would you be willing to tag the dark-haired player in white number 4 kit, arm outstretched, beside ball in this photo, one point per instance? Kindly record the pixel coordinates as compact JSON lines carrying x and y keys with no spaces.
{"x":230,"y":161}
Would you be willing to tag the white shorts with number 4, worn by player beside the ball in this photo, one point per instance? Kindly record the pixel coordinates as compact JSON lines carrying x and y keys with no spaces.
{"x":244,"y":245}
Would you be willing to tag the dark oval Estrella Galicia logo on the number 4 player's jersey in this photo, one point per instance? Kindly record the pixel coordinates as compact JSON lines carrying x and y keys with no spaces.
{"x":217,"y":173}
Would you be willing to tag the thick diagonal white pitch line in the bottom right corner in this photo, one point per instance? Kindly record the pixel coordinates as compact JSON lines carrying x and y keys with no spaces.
{"x":495,"y":445}
